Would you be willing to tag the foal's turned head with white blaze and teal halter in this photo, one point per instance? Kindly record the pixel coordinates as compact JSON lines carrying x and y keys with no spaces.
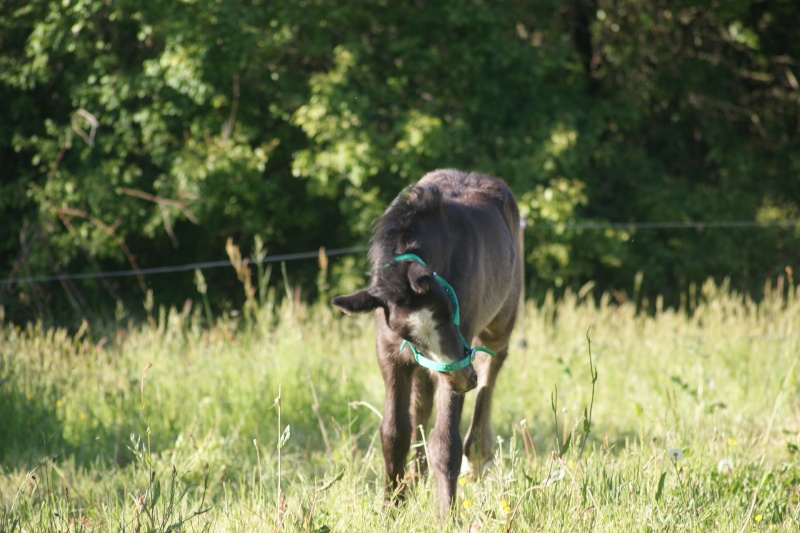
{"x":417,"y":308}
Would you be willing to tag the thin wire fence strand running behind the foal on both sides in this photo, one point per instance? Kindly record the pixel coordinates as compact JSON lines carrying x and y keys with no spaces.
{"x":588,"y":226}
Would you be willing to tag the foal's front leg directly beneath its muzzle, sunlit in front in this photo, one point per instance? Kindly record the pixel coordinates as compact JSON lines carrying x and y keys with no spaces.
{"x":445,"y":445}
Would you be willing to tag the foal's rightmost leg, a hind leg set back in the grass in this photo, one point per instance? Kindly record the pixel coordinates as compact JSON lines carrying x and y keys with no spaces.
{"x":480,"y":437}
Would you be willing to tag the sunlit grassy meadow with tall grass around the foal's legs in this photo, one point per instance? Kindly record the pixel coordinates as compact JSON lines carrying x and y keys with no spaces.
{"x":271,"y":423}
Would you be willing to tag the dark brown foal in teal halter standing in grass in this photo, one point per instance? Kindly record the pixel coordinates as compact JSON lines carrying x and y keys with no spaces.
{"x":446,"y":269}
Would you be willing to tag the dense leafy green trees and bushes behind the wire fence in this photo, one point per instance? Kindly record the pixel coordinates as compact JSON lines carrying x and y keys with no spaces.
{"x":142,"y":134}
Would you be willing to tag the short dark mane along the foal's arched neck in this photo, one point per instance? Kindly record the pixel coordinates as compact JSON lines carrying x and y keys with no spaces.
{"x":390,"y":234}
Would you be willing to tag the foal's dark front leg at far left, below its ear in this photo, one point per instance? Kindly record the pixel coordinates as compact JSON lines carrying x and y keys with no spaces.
{"x":395,"y":427}
